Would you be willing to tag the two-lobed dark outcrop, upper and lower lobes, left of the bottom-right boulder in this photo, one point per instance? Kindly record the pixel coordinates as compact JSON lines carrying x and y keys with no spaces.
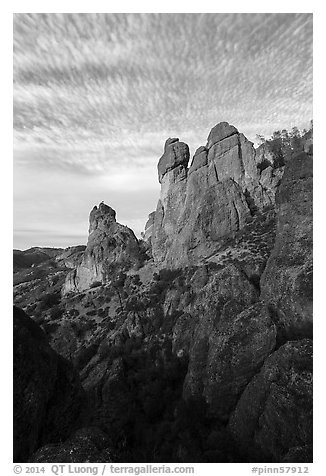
{"x":228,"y":344}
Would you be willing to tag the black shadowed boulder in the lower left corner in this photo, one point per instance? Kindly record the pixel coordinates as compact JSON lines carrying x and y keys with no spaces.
{"x":48,"y":397}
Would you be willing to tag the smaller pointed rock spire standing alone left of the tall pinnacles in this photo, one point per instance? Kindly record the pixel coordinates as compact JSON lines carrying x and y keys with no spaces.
{"x":110,"y":245}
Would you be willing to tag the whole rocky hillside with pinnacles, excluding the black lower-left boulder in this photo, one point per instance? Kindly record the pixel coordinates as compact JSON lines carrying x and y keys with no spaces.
{"x":197,"y":346}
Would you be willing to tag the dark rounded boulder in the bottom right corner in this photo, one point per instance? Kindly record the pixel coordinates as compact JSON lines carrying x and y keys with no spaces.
{"x":274,"y":413}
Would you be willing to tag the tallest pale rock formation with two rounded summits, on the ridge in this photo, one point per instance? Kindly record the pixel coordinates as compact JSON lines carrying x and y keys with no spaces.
{"x":210,"y":201}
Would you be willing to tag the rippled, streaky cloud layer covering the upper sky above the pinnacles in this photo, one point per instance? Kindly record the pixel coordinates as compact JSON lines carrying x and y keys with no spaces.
{"x":102,"y":81}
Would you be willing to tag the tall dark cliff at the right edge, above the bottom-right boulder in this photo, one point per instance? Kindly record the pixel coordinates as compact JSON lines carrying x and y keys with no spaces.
{"x":287,"y":281}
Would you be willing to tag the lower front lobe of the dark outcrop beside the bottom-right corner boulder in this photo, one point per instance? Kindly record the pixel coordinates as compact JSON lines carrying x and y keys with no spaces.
{"x":236,"y":349}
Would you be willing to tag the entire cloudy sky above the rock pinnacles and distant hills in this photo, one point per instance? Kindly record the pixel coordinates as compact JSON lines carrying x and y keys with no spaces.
{"x":97,"y":95}
